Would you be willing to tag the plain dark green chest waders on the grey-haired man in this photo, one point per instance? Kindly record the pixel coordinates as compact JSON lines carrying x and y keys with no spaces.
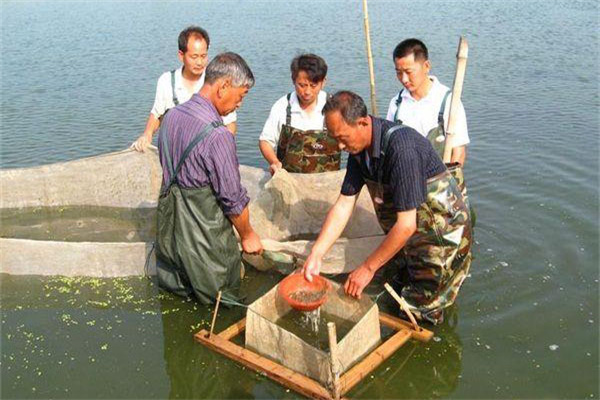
{"x":197,"y":251}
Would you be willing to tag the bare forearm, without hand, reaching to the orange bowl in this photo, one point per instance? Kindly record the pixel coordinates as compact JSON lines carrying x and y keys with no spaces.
{"x":335,"y":222}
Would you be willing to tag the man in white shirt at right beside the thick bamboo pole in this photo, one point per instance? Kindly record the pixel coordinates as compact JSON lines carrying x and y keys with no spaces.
{"x":424,"y":103}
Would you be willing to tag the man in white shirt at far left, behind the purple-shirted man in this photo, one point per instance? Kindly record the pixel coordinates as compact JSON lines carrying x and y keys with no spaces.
{"x":178,"y":86}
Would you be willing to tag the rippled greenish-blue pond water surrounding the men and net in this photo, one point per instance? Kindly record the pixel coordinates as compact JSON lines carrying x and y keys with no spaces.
{"x":78,"y":79}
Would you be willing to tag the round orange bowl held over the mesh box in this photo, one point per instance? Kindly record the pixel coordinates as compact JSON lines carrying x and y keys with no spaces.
{"x":302,"y":294}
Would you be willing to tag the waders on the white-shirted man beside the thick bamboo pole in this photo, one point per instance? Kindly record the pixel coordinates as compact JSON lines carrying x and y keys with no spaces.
{"x":437,"y":138}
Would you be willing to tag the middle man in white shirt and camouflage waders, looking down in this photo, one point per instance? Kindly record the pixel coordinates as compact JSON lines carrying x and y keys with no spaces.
{"x":294,"y":136}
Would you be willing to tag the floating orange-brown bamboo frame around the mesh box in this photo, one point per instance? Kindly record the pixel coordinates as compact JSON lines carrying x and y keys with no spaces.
{"x":300,"y":383}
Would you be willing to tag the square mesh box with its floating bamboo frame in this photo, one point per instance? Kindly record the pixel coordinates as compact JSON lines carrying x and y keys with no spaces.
{"x":289,"y":359}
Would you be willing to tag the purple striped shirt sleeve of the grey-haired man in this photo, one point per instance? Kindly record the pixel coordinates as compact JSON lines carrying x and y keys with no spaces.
{"x":224,"y":173}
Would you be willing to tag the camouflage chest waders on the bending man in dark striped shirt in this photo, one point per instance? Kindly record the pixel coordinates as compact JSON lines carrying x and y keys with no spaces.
{"x":437,"y":256}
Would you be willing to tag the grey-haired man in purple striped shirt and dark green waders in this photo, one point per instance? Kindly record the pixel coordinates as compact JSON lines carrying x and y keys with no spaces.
{"x":202,"y":195}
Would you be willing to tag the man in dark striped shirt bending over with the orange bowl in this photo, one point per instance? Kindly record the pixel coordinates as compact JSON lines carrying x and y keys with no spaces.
{"x":417,"y":201}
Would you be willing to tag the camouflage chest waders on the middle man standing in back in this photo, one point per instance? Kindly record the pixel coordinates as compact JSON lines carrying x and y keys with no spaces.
{"x":306,"y":151}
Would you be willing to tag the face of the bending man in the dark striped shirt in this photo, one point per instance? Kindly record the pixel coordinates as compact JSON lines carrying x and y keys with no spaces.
{"x":351,"y":138}
